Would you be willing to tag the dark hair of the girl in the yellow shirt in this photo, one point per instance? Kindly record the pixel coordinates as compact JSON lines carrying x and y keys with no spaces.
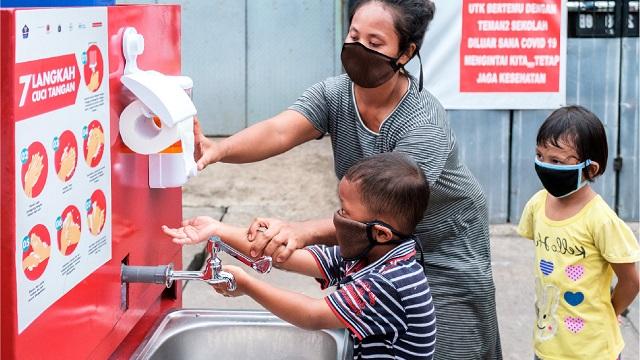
{"x":580,"y":127}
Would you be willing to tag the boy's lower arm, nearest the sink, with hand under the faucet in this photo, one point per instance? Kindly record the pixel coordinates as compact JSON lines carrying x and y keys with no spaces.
{"x":300,"y":310}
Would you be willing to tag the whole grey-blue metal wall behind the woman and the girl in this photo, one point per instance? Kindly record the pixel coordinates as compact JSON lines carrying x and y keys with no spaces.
{"x":250,"y":59}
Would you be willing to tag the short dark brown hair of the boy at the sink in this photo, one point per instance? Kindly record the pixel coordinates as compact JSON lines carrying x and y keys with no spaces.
{"x":392,"y":184}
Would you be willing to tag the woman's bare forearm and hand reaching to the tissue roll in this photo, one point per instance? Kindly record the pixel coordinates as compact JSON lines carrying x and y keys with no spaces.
{"x":257,"y":142}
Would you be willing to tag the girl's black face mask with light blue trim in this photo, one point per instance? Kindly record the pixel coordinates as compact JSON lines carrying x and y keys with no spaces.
{"x":561,"y":180}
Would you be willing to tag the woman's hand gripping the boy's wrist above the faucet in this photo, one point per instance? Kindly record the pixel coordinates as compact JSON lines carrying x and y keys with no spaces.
{"x":279,"y":239}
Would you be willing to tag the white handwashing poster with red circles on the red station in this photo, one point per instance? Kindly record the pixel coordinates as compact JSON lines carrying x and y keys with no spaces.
{"x":63,"y":164}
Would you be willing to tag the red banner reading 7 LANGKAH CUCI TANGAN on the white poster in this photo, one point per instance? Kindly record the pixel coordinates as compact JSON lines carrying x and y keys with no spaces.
{"x":45,"y":85}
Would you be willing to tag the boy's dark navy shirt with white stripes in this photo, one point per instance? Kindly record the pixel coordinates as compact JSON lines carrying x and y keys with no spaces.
{"x":386,"y":305}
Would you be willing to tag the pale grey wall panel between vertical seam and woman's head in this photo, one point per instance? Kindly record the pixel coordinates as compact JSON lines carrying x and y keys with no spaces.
{"x":290,"y":46}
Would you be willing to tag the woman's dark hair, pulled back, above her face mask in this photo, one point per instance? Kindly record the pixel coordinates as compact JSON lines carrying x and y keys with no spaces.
{"x":411,"y":19}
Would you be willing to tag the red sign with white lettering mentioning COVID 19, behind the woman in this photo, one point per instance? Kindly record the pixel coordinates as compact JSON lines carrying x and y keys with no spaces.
{"x":510,"y":46}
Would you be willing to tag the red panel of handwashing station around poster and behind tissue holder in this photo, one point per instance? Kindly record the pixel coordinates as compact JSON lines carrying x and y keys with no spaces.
{"x":88,"y":320}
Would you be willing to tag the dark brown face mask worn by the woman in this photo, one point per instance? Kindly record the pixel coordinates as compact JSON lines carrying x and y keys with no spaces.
{"x":368,"y":68}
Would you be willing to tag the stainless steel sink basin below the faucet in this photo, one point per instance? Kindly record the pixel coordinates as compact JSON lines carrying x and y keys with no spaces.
{"x":238,"y":334}
